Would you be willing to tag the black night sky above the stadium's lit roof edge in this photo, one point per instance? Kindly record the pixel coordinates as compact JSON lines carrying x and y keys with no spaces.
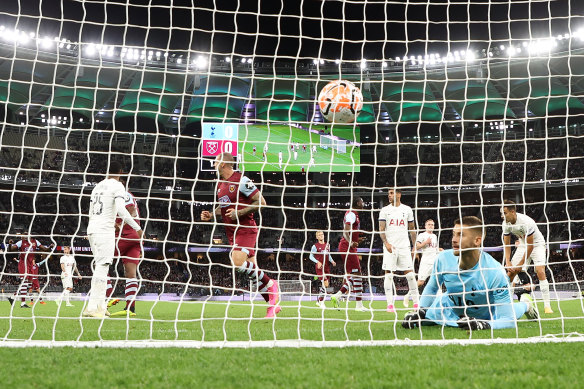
{"x":274,"y":27}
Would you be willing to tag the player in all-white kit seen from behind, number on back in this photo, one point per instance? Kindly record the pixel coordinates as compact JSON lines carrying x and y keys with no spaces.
{"x":107,"y":201}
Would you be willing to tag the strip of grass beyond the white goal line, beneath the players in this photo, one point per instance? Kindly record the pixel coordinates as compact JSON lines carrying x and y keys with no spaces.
{"x":242,"y":321}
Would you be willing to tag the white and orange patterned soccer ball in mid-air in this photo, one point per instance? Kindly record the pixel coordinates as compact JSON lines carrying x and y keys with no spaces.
{"x":340,"y":101}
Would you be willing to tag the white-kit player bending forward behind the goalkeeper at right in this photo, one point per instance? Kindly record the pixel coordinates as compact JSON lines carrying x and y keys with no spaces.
{"x":531,"y":249}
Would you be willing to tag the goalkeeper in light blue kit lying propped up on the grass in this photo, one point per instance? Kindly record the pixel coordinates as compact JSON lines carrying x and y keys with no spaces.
{"x":477,"y":293}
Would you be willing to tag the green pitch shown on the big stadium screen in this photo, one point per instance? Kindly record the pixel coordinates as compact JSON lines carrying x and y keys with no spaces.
{"x":279,"y":137}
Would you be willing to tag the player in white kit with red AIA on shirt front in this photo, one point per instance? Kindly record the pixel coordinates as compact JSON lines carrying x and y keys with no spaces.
{"x":395,"y":221}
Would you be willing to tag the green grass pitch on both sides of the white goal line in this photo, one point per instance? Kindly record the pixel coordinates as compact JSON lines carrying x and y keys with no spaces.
{"x":540,"y":365}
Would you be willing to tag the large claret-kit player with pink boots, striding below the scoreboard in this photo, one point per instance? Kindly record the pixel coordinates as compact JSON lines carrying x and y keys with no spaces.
{"x":238,"y":199}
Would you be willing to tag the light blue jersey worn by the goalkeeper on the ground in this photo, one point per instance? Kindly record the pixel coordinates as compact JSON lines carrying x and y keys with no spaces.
{"x":481,"y":292}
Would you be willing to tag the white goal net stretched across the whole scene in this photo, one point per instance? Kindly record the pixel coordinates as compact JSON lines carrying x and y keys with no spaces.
{"x":462,"y":111}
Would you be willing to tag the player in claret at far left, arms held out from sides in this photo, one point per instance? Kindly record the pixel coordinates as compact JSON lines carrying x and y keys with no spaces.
{"x":27,"y":267}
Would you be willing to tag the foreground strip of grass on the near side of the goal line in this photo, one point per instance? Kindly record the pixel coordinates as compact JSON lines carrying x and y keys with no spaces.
{"x":495,"y":366}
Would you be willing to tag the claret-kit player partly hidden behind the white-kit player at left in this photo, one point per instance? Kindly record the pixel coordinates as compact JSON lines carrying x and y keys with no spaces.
{"x":129,"y":249}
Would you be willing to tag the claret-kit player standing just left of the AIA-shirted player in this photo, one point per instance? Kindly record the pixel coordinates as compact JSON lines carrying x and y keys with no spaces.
{"x":348,"y":249}
